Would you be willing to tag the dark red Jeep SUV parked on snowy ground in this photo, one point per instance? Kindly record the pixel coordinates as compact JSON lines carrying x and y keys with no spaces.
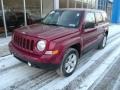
{"x":60,"y":39}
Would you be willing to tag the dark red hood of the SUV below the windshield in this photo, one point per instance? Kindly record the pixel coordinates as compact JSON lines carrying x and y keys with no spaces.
{"x":45,"y":31}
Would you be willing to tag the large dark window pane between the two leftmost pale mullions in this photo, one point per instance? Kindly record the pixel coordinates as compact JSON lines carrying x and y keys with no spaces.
{"x":14,"y":14}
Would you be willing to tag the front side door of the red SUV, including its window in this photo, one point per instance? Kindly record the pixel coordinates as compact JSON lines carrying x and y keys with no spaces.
{"x":89,"y":31}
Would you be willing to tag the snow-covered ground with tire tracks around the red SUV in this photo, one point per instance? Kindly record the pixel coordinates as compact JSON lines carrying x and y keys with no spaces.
{"x":97,"y":70}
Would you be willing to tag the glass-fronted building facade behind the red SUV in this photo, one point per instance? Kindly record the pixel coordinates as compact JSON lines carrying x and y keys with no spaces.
{"x":23,"y":11}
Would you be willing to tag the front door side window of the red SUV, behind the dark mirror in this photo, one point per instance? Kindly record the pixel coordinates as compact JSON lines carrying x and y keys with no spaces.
{"x":89,"y":20}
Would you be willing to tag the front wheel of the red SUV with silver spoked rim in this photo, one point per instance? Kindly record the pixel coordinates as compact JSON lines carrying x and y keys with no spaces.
{"x":69,"y":63}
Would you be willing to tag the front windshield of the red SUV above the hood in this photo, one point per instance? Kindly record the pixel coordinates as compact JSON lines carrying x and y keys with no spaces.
{"x":63,"y":18}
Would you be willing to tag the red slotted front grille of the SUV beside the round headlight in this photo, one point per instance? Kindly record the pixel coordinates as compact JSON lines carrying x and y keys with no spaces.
{"x":24,"y":42}
